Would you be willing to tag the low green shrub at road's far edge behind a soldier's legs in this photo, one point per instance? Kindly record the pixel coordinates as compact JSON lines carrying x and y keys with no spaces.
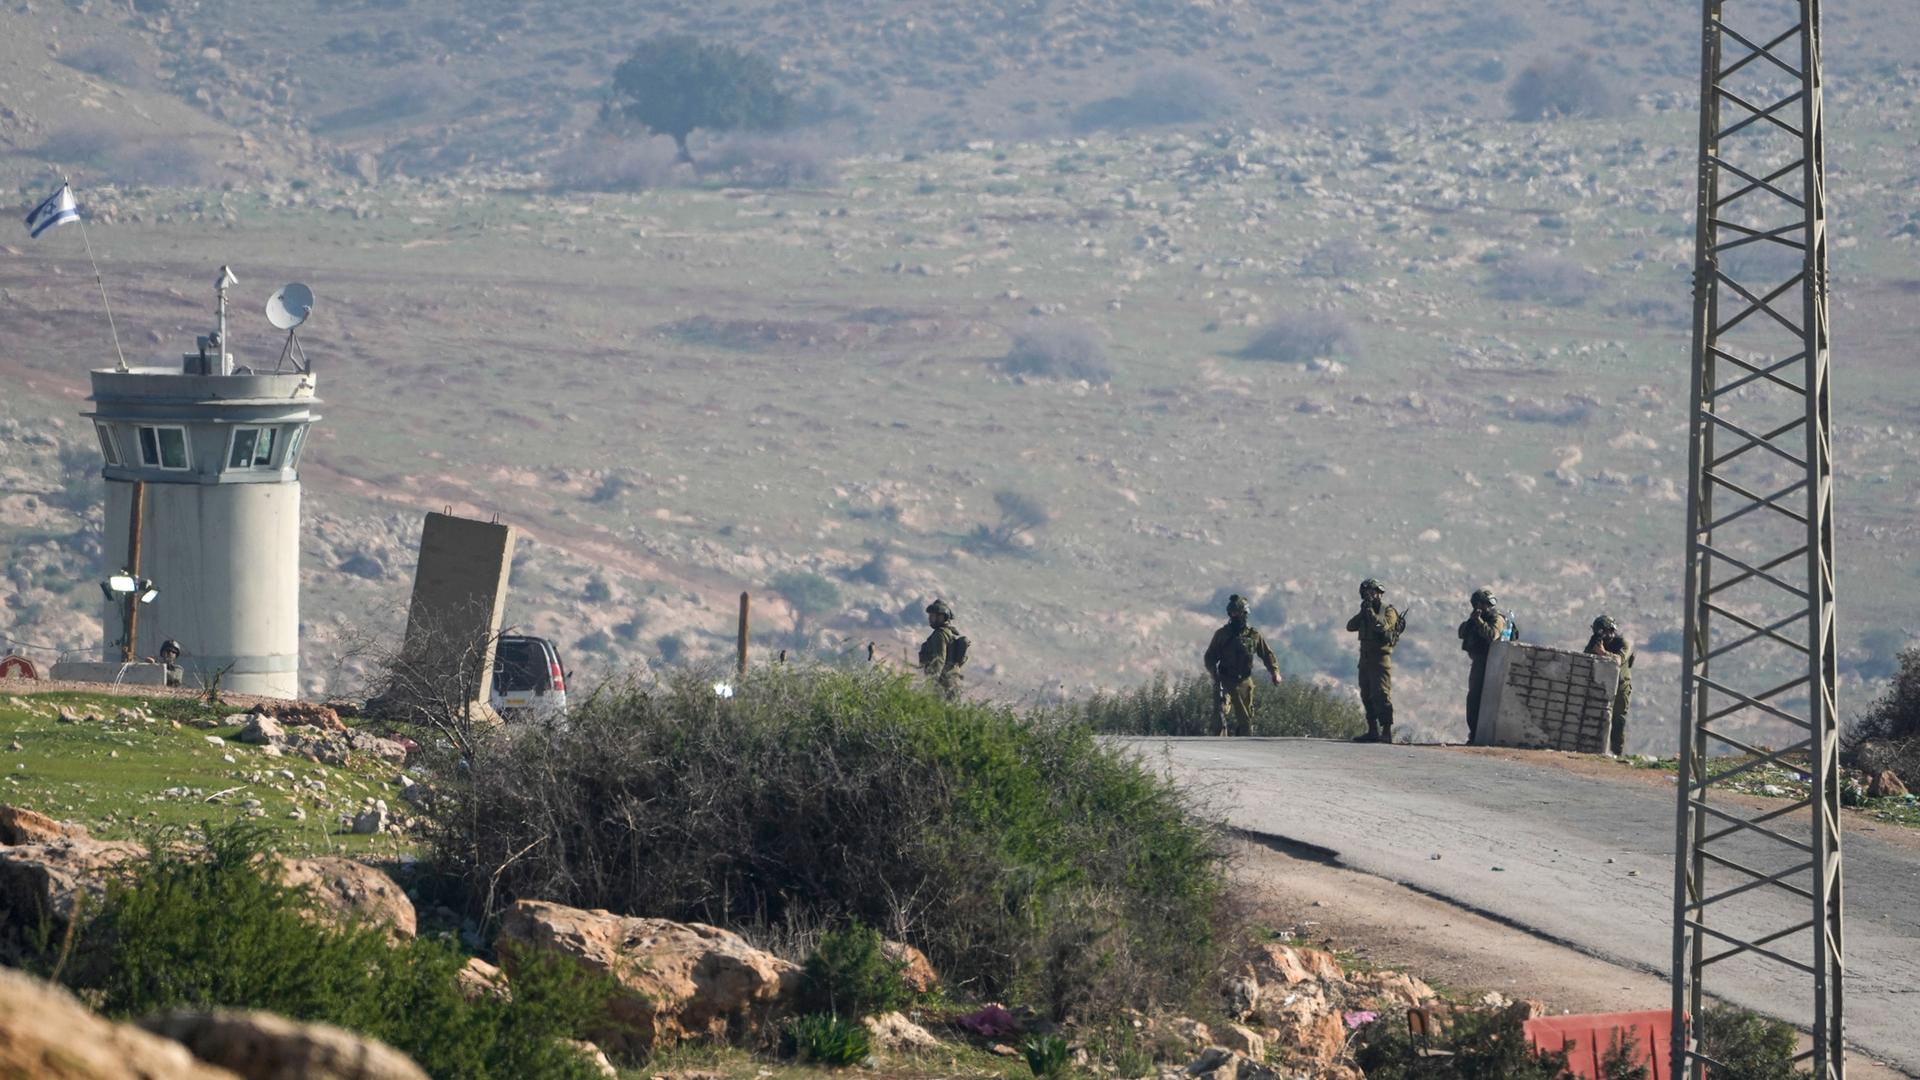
{"x":1184,"y":706}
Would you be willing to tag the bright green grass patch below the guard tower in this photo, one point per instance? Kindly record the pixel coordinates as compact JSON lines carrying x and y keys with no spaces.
{"x":128,"y":779}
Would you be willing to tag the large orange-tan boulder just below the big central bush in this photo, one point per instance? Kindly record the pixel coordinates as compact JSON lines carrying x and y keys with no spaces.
{"x":677,"y":979}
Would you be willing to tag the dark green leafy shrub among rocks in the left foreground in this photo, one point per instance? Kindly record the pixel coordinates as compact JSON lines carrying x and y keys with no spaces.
{"x":204,"y":927}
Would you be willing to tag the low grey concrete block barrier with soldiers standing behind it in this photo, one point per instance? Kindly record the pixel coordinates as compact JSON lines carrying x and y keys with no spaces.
{"x":1547,"y":699}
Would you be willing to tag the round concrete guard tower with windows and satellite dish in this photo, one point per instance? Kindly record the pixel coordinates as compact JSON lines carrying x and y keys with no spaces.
{"x":212,"y":454}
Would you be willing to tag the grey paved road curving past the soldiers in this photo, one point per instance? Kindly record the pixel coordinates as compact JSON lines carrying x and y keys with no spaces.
{"x":1583,"y":860}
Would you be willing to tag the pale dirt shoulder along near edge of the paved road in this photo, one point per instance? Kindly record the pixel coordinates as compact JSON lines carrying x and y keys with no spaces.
{"x":1456,"y":950}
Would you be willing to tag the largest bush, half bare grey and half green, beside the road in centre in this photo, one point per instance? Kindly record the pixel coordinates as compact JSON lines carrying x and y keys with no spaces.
{"x":828,"y":797}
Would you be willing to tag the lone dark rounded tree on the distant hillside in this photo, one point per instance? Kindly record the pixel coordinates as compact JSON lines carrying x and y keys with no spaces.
{"x":677,"y":86}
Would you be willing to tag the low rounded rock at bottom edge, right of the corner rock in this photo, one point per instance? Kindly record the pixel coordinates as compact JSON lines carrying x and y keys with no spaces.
{"x":262,"y":1046}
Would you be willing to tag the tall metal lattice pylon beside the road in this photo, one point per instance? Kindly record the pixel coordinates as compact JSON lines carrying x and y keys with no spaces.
{"x":1760,"y":887}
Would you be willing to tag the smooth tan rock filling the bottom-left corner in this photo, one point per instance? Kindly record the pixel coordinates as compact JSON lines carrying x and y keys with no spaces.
{"x":51,"y":1037}
